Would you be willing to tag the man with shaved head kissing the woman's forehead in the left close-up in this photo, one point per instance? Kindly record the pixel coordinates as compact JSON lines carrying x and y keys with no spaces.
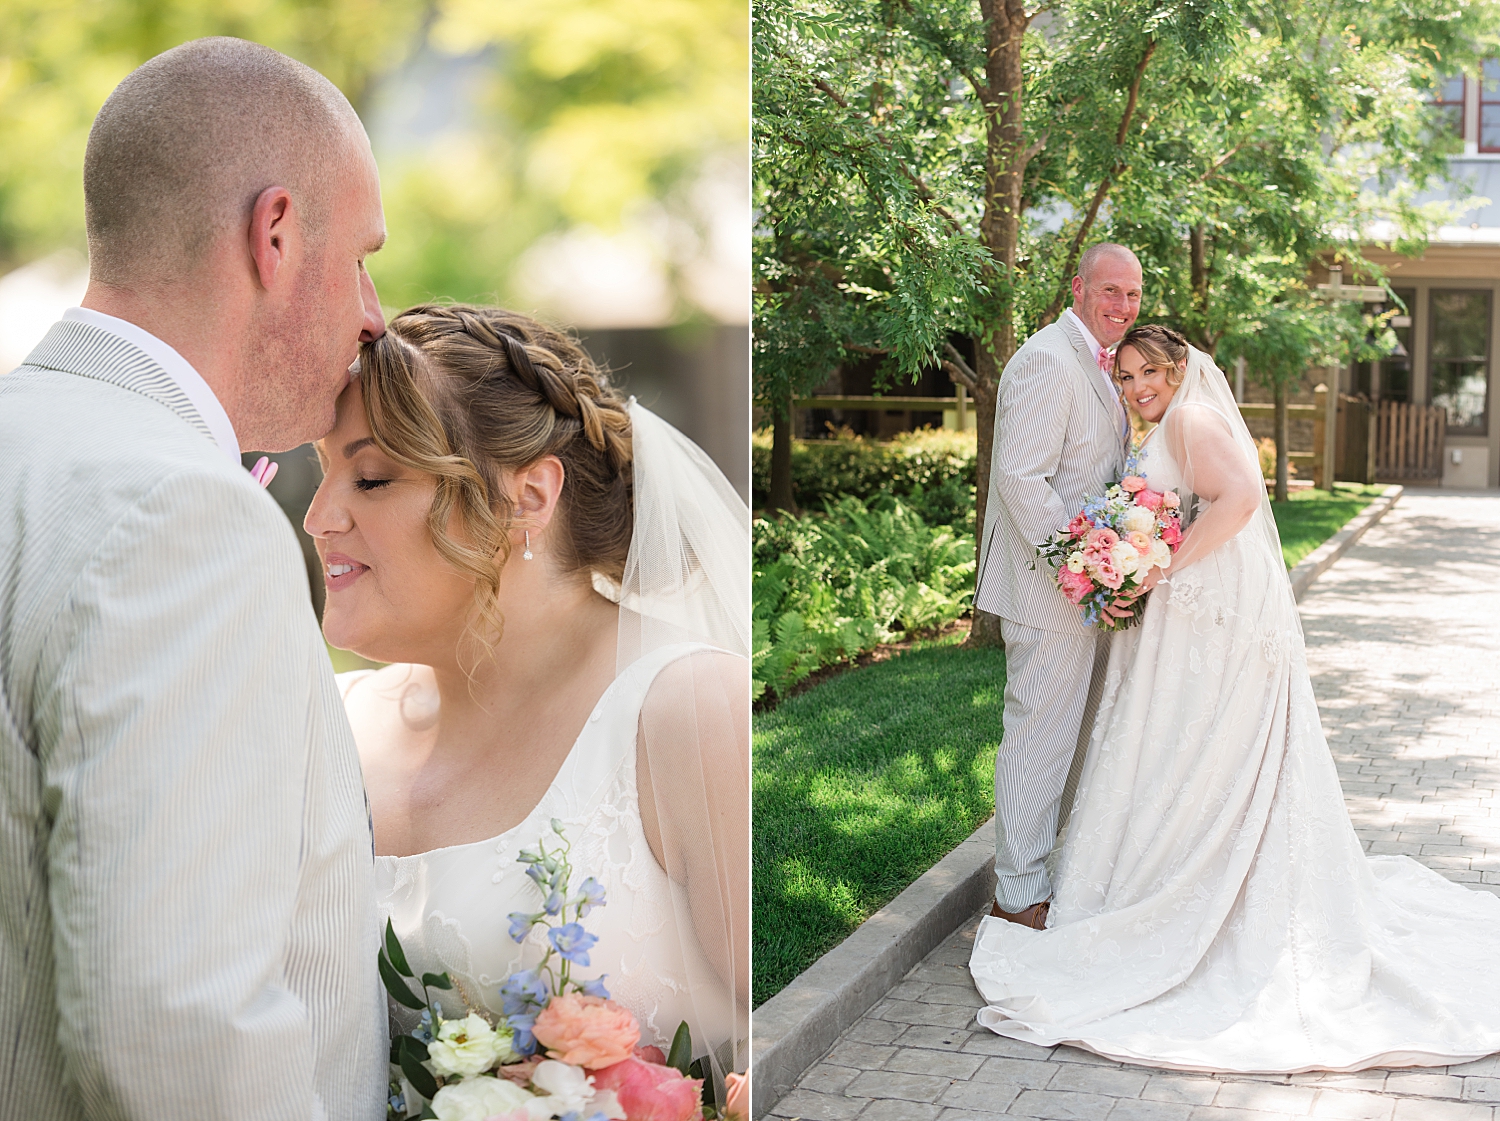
{"x":188,"y":922}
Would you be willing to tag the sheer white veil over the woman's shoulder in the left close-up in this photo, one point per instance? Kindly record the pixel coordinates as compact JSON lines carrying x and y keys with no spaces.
{"x":688,"y":582}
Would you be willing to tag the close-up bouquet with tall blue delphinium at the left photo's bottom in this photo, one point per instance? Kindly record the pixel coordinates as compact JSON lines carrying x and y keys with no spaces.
{"x":562,"y":1050}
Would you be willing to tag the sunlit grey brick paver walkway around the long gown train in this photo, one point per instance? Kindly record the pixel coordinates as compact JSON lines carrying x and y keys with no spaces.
{"x":1405,"y":648}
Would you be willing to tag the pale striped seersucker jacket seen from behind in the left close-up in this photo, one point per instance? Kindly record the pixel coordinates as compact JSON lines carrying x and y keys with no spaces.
{"x":188,"y":924}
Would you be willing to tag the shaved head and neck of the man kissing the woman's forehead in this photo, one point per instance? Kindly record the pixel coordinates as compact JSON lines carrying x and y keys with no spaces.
{"x":227,"y":184}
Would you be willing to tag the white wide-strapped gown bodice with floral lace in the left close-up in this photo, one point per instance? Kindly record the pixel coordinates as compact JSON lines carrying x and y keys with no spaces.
{"x":451,"y":906}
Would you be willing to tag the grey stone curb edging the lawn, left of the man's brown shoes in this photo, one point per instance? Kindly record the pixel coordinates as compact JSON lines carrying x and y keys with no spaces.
{"x":800,"y":1024}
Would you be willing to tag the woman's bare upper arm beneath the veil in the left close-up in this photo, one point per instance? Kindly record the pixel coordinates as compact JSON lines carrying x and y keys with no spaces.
{"x":694,"y":777}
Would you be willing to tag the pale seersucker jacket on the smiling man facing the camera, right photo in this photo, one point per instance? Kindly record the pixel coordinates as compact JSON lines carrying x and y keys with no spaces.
{"x":1058,"y":442}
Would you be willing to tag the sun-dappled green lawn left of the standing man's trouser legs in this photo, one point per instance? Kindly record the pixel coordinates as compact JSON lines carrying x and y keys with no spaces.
{"x":863,"y":784}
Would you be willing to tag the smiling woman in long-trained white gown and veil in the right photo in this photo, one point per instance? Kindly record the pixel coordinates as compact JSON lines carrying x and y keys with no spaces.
{"x":1216,"y":910}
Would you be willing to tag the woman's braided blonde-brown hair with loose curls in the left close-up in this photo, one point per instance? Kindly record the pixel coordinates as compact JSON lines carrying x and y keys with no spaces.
{"x":463,"y":394}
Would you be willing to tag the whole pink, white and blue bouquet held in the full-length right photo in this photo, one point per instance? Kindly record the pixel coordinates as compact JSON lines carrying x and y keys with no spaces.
{"x":1111,"y":547}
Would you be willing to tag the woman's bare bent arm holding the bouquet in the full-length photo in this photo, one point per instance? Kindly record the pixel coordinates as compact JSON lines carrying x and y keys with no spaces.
{"x":1219,"y":470}
